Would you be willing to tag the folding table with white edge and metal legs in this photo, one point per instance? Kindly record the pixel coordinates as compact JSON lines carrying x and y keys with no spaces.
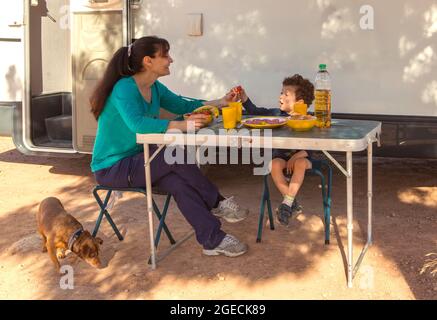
{"x":344,"y":136}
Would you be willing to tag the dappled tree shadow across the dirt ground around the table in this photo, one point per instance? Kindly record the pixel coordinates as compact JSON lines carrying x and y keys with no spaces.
{"x":294,"y":251}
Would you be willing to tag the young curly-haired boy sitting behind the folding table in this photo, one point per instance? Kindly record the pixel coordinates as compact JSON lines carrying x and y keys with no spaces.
{"x":285,"y":162}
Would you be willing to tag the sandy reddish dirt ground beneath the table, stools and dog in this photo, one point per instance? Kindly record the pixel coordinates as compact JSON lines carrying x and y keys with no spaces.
{"x":291,"y":263}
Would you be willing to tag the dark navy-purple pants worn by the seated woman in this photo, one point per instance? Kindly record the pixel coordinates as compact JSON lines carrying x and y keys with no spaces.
{"x":194,"y":194}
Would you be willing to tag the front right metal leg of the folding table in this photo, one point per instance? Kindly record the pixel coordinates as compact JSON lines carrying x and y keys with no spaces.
{"x":349,"y":219}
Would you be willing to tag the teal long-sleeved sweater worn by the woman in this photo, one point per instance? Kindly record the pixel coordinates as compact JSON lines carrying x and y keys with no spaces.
{"x":126,"y":113}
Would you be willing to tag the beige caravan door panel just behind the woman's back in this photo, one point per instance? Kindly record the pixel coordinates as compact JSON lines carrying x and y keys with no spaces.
{"x":99,"y":28}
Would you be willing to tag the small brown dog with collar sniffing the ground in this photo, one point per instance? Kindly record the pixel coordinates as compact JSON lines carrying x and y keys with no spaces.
{"x":61,"y":231}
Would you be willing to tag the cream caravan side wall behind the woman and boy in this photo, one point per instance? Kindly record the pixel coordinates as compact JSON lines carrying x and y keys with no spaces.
{"x":256,"y":43}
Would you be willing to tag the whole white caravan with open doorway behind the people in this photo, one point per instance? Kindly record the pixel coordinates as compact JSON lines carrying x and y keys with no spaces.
{"x":382,"y":56}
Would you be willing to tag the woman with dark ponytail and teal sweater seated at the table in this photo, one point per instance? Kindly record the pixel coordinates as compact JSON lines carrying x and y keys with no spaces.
{"x":126,"y":102}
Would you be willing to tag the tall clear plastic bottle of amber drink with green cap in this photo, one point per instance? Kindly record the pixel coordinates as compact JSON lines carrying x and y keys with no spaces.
{"x":322,"y":105}
